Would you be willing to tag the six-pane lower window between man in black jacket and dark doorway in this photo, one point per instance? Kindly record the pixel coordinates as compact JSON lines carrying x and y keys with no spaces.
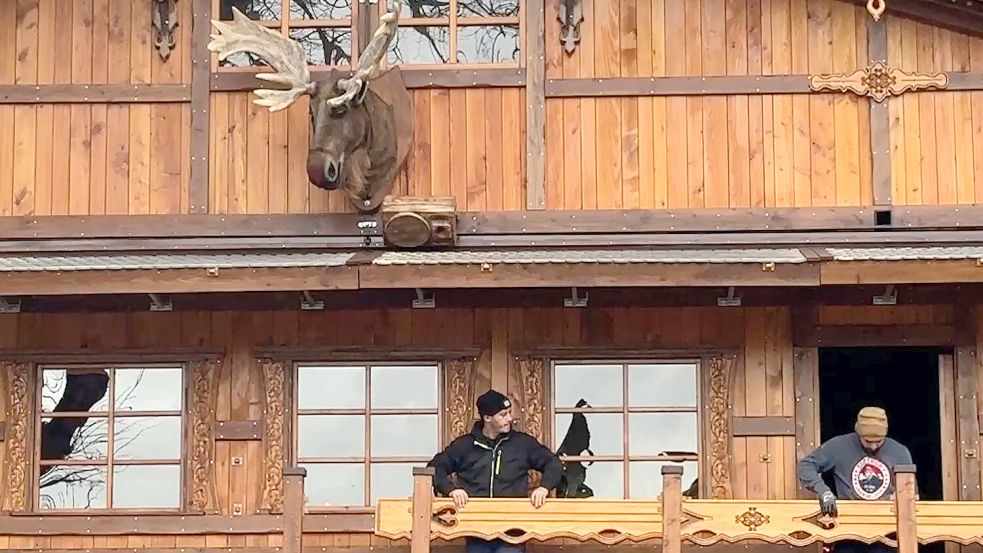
{"x":639,"y":415}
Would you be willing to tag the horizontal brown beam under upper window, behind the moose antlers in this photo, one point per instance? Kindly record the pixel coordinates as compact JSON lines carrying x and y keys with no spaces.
{"x":241,"y":81}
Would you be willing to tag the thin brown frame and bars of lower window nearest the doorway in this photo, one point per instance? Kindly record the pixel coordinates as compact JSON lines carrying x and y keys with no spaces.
{"x":625,"y":458}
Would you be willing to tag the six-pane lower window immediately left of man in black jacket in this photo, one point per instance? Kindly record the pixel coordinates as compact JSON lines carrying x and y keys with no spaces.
{"x":361,"y":428}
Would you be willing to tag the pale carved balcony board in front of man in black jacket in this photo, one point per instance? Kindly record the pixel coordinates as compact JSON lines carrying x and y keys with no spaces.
{"x":604,"y":521}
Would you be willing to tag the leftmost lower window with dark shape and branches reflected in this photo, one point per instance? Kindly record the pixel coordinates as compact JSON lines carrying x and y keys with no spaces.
{"x":109,"y":437}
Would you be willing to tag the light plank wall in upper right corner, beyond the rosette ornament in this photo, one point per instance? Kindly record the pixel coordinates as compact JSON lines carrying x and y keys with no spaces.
{"x":936,"y":137}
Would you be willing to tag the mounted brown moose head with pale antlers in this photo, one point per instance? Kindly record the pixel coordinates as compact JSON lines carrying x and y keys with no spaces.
{"x":361,"y":120}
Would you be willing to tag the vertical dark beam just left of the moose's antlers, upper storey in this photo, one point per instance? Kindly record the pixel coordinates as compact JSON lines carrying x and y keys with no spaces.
{"x":200,"y":62}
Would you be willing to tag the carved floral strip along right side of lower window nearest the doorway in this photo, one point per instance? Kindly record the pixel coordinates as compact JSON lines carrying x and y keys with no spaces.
{"x":718,"y":407}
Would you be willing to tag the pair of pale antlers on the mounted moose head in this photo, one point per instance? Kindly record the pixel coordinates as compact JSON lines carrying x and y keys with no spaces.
{"x":287,"y":57}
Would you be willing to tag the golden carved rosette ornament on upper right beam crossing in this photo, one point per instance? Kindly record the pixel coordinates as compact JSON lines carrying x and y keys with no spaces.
{"x":878,"y":81}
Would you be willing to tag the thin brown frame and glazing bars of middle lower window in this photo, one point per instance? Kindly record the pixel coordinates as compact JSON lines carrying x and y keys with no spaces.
{"x":366,"y":413}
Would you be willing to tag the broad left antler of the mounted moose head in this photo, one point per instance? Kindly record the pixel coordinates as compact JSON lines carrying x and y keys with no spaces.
{"x":282,"y":54}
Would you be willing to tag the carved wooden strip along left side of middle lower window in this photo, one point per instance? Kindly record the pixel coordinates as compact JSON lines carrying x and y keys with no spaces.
{"x":273,"y":439}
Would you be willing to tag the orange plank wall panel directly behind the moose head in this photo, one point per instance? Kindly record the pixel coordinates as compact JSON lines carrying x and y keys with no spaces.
{"x":258,"y":160}
